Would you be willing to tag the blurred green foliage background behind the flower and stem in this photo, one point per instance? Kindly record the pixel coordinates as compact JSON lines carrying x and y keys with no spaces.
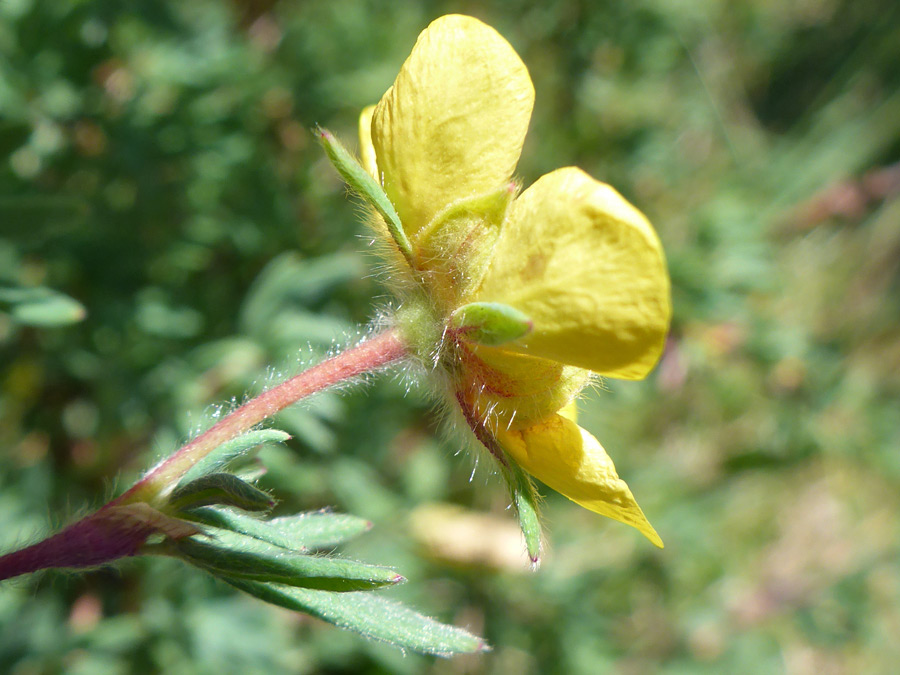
{"x":157,"y":169}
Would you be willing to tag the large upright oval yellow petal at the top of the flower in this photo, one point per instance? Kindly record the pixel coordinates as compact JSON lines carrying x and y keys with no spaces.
{"x":453,"y":123}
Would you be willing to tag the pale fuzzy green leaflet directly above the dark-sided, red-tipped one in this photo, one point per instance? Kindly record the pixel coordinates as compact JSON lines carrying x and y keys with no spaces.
{"x":304,"y":531}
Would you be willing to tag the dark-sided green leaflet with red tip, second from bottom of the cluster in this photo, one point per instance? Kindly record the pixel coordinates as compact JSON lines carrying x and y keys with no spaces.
{"x":228,"y":554}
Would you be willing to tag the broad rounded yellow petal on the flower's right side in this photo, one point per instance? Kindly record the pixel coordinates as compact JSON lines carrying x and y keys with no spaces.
{"x":589,"y":270}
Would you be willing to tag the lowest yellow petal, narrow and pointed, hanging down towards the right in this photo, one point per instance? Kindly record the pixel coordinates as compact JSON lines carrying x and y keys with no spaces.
{"x":567,"y":458}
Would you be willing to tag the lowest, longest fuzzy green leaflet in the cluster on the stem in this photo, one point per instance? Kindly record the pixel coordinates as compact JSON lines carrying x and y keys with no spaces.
{"x":372,"y":616}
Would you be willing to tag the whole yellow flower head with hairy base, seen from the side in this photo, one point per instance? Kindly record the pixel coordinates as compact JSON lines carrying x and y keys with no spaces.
{"x":581,"y":266}
